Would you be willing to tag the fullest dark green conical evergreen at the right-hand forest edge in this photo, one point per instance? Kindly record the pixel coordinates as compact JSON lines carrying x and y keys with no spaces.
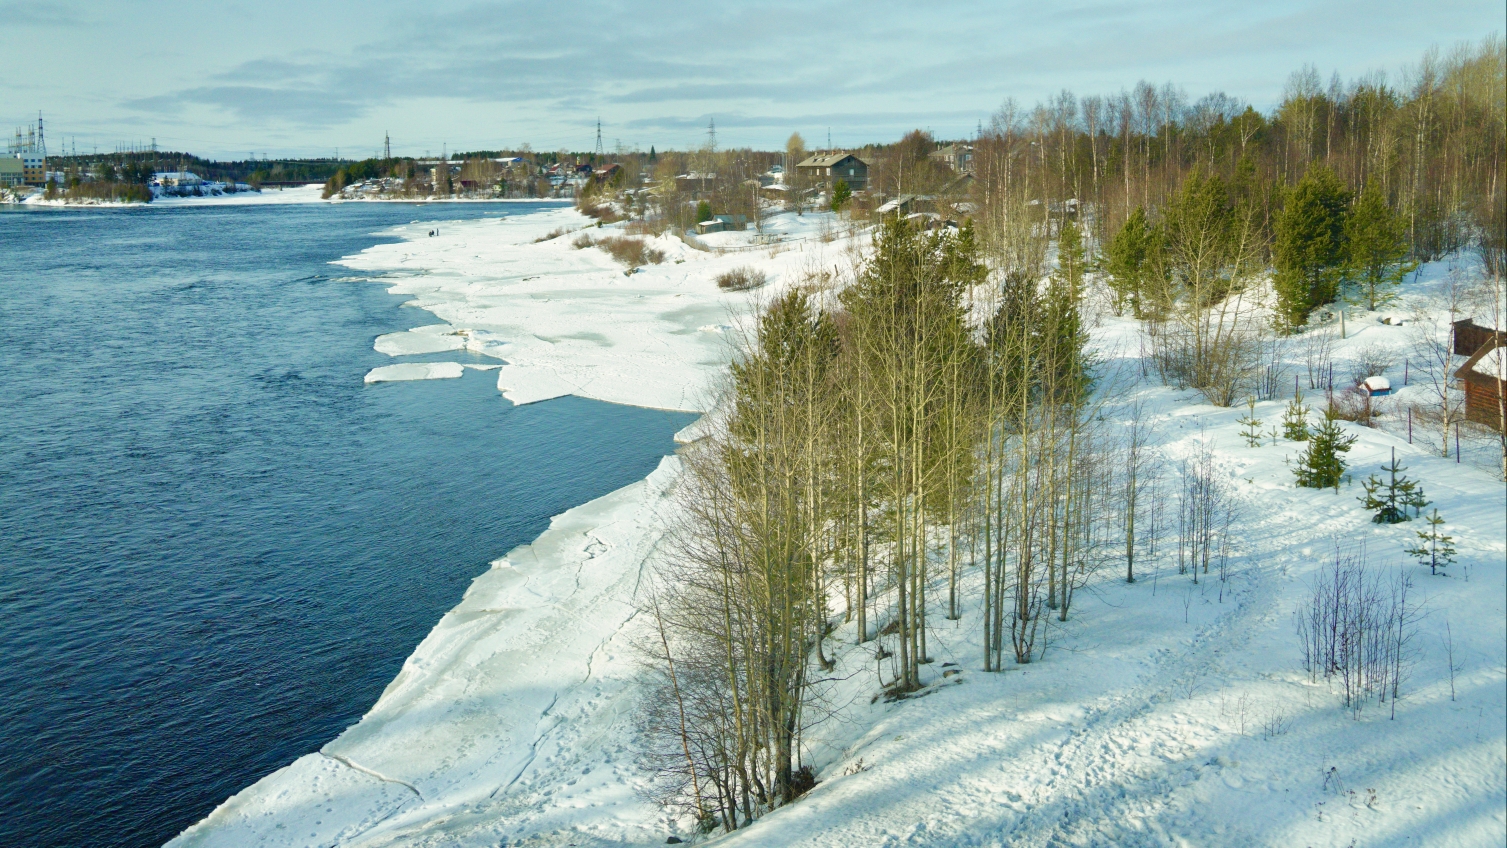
{"x":1309,"y":252}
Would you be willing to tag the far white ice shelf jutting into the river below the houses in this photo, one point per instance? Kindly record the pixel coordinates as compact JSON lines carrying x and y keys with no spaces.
{"x":570,"y":322}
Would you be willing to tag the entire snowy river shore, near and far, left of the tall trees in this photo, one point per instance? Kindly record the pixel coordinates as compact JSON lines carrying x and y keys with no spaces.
{"x":515,"y":718}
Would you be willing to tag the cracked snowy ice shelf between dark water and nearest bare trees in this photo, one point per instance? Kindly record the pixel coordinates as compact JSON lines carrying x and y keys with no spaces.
{"x":480,"y":715}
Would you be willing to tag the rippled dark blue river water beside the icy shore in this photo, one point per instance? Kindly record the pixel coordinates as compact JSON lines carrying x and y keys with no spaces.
{"x":216,"y":544}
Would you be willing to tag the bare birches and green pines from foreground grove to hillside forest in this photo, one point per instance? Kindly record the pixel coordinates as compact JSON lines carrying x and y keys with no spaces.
{"x":923,"y":435}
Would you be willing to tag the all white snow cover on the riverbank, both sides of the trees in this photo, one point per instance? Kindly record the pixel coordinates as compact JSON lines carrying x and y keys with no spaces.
{"x":1163,"y":713}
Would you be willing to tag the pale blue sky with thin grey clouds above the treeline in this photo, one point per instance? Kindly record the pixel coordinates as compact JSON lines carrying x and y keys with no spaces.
{"x":317,"y":78}
